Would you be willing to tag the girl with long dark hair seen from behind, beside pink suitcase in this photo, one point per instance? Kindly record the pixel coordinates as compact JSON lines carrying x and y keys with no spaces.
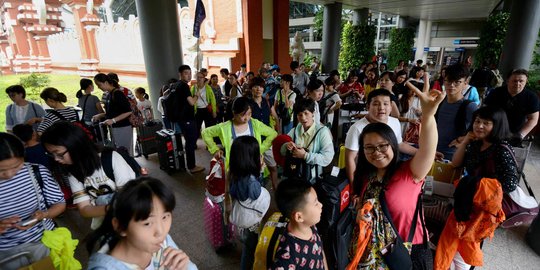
{"x":251,"y":199}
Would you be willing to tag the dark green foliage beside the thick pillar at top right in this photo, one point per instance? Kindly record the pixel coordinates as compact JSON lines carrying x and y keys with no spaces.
{"x":492,"y":37}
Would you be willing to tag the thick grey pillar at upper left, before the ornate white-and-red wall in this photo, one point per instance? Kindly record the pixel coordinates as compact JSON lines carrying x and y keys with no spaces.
{"x":160,"y":36}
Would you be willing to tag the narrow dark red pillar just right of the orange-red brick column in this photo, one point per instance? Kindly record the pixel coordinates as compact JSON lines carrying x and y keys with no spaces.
{"x":281,"y":38}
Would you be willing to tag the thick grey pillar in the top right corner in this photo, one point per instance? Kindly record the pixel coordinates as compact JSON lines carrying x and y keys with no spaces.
{"x":521,"y":36}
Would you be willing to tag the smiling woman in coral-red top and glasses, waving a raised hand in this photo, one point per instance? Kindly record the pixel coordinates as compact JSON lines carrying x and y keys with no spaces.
{"x":379,"y":172}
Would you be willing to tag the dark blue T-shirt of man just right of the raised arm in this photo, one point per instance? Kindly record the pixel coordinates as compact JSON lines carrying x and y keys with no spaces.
{"x":446,"y":127}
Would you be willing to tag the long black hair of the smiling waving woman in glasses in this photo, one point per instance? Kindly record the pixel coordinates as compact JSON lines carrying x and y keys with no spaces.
{"x":363,"y":168}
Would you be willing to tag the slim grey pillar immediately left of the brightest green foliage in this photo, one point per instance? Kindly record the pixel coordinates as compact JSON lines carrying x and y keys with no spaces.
{"x":331,"y":36}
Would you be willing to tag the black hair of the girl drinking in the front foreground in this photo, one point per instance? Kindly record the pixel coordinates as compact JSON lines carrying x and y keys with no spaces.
{"x":134,"y":201}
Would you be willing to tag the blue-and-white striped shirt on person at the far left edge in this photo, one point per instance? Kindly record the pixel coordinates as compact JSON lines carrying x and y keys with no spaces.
{"x":18,"y":198}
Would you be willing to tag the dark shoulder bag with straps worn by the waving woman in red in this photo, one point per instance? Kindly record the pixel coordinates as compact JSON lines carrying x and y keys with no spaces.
{"x":395,"y":254}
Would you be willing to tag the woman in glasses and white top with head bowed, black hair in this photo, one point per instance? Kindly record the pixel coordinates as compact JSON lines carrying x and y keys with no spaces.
{"x":90,"y":184}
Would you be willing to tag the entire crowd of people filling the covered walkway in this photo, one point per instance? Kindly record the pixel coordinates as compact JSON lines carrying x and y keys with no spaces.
{"x":259,"y":124}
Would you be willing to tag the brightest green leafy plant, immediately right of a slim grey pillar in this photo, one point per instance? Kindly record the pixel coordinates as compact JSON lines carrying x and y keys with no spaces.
{"x":357,"y":45}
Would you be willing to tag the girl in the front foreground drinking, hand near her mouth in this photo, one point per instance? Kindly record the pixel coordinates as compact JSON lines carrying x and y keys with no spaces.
{"x":135,"y":232}
